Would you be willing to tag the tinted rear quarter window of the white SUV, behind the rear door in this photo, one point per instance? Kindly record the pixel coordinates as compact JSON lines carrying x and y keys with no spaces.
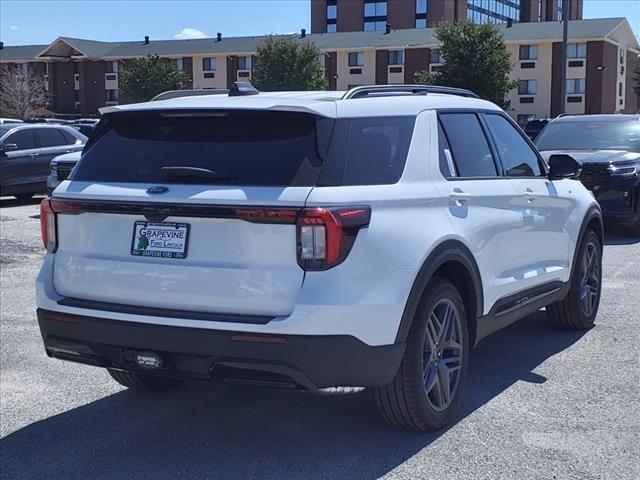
{"x":368,"y":151}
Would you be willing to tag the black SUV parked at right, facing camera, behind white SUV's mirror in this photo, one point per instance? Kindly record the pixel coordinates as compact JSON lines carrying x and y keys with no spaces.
{"x":608,"y":146}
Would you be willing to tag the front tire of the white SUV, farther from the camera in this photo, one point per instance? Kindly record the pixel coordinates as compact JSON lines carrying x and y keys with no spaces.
{"x":571,"y":312}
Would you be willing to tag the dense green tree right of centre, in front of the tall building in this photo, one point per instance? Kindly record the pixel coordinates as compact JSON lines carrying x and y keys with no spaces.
{"x":475,"y":58}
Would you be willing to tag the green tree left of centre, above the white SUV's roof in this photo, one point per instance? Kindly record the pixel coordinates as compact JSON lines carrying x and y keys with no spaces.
{"x":149,"y":76}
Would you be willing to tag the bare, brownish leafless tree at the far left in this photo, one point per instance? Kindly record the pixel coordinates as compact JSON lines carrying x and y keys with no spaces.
{"x":22,"y":92}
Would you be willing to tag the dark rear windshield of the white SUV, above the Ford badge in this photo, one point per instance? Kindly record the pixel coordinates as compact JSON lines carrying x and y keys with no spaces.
{"x":237,"y":147}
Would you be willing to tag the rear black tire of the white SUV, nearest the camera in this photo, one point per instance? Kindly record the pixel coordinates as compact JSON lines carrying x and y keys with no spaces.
{"x":406,"y":402}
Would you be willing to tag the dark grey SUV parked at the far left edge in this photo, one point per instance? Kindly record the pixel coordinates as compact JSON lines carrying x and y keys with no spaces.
{"x":26,"y":151}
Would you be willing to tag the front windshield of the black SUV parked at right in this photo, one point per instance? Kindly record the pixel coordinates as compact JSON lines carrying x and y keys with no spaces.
{"x":584,"y":135}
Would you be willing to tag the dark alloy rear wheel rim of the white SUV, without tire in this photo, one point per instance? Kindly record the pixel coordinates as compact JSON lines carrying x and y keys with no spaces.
{"x":443,"y":354}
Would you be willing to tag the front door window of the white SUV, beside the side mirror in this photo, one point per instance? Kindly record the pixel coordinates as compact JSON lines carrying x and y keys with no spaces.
{"x":518,"y":158}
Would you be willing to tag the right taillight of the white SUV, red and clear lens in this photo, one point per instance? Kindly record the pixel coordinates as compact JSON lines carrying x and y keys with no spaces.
{"x":326,"y":235}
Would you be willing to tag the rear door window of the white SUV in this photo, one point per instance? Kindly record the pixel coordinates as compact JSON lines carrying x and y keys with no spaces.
{"x":468,"y":145}
